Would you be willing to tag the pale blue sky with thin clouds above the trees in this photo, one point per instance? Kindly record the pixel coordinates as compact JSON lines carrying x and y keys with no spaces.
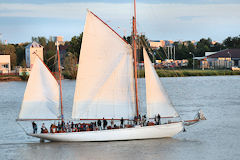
{"x":20,"y":20}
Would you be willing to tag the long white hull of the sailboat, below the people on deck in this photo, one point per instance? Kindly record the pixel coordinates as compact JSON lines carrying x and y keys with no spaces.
{"x":146,"y":132}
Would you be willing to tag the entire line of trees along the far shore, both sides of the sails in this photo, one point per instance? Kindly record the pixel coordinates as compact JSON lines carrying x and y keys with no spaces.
{"x":72,"y":49}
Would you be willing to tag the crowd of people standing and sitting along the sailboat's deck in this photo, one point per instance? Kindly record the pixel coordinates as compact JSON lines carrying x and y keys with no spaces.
{"x":100,"y":124}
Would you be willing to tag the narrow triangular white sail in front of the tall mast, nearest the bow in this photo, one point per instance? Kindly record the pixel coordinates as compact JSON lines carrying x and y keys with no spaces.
{"x":156,"y":98}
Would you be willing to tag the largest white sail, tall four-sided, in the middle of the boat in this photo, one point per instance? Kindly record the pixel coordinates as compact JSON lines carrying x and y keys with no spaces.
{"x":104,"y":85}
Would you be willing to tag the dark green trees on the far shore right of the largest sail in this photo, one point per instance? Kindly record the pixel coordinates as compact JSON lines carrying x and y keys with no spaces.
{"x":182,"y":49}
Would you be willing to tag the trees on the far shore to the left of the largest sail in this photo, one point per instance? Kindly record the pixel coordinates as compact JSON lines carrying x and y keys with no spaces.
{"x":72,"y":49}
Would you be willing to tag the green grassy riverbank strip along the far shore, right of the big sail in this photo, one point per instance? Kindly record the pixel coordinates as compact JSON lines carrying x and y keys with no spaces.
{"x":188,"y":73}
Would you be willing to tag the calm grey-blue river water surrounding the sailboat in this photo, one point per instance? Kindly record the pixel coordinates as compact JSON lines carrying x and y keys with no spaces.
{"x":217,"y":138}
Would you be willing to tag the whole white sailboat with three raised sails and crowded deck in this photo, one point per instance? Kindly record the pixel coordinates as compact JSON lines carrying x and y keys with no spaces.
{"x":106,"y":86}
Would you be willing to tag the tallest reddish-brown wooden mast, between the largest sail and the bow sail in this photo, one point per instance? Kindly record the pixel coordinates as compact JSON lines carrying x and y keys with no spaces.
{"x":135,"y":55}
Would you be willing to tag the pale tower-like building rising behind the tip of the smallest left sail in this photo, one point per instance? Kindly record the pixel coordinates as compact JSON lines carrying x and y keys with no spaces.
{"x":30,"y":53}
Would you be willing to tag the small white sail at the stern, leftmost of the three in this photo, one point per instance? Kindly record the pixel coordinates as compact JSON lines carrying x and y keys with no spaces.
{"x":41,"y":98}
